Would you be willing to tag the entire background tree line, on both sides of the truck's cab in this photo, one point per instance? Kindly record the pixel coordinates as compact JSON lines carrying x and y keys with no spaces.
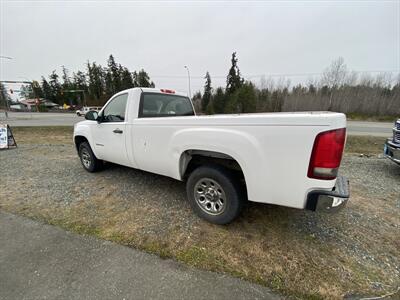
{"x":338,"y":89}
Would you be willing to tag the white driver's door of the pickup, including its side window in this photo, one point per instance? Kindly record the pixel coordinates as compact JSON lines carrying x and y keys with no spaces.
{"x":110,"y":134}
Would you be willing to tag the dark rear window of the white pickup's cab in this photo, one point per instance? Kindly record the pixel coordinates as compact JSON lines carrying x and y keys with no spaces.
{"x":164,"y":105}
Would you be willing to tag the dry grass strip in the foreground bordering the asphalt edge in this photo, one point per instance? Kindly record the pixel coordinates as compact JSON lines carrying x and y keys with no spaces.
{"x":282,"y":260}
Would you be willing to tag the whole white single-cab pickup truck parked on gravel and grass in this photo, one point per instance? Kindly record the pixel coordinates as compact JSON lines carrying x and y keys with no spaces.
{"x":288,"y":159}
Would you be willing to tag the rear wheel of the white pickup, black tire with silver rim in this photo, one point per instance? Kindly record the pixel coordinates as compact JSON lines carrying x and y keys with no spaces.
{"x":205,"y":176}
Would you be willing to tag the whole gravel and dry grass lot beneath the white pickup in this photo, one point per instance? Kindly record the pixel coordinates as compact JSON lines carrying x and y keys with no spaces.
{"x":301,"y":254}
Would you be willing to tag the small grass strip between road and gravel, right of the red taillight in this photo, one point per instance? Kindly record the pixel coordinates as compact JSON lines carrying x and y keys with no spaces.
{"x":364,"y":144}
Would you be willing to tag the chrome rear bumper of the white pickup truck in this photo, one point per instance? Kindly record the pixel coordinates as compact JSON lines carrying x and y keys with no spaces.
{"x":329,"y":201}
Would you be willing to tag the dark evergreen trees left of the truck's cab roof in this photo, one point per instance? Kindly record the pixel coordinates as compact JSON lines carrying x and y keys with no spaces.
{"x":94,"y":86}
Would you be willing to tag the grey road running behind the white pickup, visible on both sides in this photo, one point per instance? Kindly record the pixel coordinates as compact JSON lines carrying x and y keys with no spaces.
{"x":382,"y":129}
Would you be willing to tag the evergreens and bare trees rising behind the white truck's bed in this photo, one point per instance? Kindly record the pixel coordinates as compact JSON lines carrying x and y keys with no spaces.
{"x":337,"y":90}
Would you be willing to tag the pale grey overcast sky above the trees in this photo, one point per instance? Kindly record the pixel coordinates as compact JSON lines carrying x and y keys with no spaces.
{"x":270,"y":37}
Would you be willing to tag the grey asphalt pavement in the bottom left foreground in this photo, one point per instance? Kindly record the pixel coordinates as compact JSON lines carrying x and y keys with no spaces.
{"x":39,"y":261}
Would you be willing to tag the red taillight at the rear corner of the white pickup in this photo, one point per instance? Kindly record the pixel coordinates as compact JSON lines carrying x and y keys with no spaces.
{"x":327,"y":154}
